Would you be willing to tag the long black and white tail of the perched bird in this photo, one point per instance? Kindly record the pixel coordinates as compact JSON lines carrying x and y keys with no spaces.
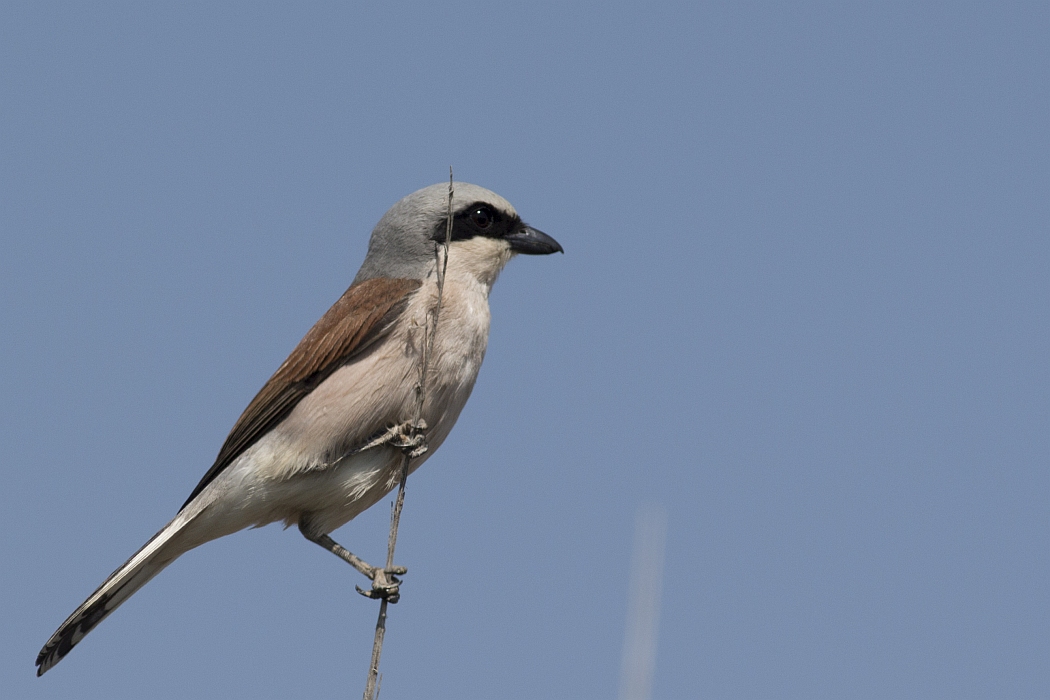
{"x":155,"y":556}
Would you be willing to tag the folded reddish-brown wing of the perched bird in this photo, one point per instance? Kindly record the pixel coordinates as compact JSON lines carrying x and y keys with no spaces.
{"x":361,"y":317}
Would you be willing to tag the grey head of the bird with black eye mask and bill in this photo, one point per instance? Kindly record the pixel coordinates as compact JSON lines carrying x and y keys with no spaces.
{"x":404,"y":243}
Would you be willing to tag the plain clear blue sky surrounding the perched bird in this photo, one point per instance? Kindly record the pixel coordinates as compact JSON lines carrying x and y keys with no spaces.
{"x":804,"y":307}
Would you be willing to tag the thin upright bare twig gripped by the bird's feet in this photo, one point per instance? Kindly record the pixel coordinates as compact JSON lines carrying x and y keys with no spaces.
{"x":430,"y":331}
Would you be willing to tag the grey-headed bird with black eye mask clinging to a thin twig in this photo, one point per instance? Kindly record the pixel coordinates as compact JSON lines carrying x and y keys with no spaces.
{"x":327,"y":436}
